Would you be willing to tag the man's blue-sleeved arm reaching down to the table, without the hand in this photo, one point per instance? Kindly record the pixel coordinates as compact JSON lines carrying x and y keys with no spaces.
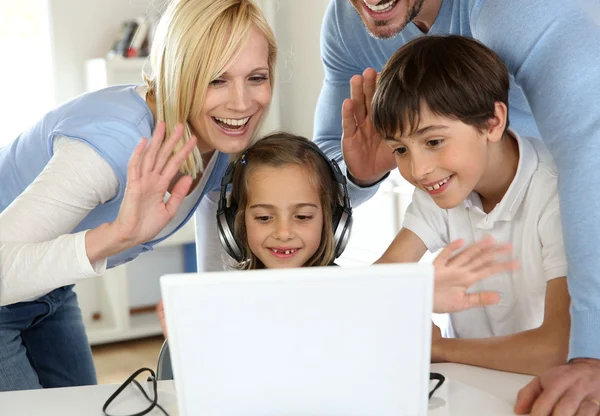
{"x":552,"y":50}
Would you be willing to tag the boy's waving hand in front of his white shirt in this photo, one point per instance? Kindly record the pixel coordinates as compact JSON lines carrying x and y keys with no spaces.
{"x":455,"y":273}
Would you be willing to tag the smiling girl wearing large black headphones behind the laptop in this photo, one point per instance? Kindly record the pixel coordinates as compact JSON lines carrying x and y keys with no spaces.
{"x":289,"y":206}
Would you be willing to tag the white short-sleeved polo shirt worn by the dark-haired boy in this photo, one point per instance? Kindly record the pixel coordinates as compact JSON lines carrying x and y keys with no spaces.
{"x":529,"y":217}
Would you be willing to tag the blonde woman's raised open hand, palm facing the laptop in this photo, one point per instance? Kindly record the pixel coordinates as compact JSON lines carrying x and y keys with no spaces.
{"x":152,"y":168}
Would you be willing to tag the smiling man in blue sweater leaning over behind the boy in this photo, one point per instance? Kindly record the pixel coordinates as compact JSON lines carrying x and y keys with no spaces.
{"x":550,"y":50}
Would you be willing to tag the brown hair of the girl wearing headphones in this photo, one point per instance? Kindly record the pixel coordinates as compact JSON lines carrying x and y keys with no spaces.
{"x":278,"y":150}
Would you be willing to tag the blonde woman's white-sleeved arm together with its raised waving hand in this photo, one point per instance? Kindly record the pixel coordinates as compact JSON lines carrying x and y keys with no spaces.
{"x":142,"y":215}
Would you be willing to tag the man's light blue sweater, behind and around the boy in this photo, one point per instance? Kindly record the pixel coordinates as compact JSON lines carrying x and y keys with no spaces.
{"x":551,"y":50}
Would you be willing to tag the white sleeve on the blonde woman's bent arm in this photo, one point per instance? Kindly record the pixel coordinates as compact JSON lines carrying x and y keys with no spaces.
{"x":37,"y":251}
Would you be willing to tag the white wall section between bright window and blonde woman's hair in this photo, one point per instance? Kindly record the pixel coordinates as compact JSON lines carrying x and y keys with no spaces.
{"x":84,"y":29}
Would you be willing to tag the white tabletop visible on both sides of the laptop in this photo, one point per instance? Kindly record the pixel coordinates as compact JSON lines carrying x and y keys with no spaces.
{"x":468,"y":391}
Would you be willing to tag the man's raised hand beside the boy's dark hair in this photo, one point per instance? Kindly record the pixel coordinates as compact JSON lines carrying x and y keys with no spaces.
{"x":368,"y":158}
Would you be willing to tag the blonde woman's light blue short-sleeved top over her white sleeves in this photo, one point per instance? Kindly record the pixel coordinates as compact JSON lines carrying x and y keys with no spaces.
{"x":112,"y":121}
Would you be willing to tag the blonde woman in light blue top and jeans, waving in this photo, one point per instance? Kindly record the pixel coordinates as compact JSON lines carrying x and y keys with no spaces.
{"x":81,"y":193}
